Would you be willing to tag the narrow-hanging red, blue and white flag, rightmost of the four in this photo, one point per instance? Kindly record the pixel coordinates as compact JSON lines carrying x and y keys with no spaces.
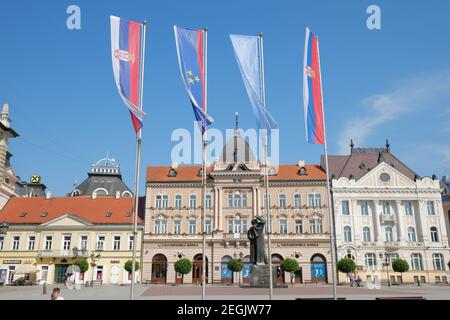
{"x":312,"y":91}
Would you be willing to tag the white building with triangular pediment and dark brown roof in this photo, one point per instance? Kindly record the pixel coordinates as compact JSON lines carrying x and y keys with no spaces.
{"x":384,"y":209}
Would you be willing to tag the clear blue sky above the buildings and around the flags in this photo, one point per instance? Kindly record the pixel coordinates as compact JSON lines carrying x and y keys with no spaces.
{"x":391,"y":83}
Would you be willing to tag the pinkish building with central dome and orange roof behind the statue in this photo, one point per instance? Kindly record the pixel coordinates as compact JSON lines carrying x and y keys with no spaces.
{"x":235,"y":194}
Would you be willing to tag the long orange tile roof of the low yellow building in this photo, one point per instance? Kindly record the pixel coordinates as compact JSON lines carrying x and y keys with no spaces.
{"x":92,"y":210}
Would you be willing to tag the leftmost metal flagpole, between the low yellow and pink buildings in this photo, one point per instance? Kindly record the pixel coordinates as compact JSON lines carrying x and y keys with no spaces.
{"x":138,"y":164}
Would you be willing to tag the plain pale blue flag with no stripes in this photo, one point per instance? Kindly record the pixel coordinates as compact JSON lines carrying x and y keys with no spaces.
{"x":247,"y":52}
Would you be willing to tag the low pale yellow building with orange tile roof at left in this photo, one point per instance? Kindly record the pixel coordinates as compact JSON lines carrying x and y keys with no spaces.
{"x":42,"y":236}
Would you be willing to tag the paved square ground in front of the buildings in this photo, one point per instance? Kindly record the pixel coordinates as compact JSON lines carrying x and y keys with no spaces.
{"x":218,"y":292}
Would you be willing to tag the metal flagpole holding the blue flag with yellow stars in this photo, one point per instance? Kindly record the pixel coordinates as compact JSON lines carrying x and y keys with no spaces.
{"x":205,"y":52}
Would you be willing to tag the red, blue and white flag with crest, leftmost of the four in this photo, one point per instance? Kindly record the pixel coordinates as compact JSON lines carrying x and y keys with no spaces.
{"x":126,"y":61}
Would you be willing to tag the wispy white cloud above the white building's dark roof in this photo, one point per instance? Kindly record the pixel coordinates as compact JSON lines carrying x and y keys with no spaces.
{"x":407,"y":96}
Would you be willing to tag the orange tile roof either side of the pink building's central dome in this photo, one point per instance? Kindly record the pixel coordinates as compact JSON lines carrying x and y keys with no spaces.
{"x":191,"y":173}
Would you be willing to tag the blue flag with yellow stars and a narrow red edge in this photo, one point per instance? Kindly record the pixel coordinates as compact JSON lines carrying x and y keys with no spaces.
{"x":191,"y":59}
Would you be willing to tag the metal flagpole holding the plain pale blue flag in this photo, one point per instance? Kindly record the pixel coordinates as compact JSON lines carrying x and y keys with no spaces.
{"x":266,"y":173}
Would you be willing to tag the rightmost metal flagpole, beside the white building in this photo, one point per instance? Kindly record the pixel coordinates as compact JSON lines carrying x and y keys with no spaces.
{"x":330,"y":204}
